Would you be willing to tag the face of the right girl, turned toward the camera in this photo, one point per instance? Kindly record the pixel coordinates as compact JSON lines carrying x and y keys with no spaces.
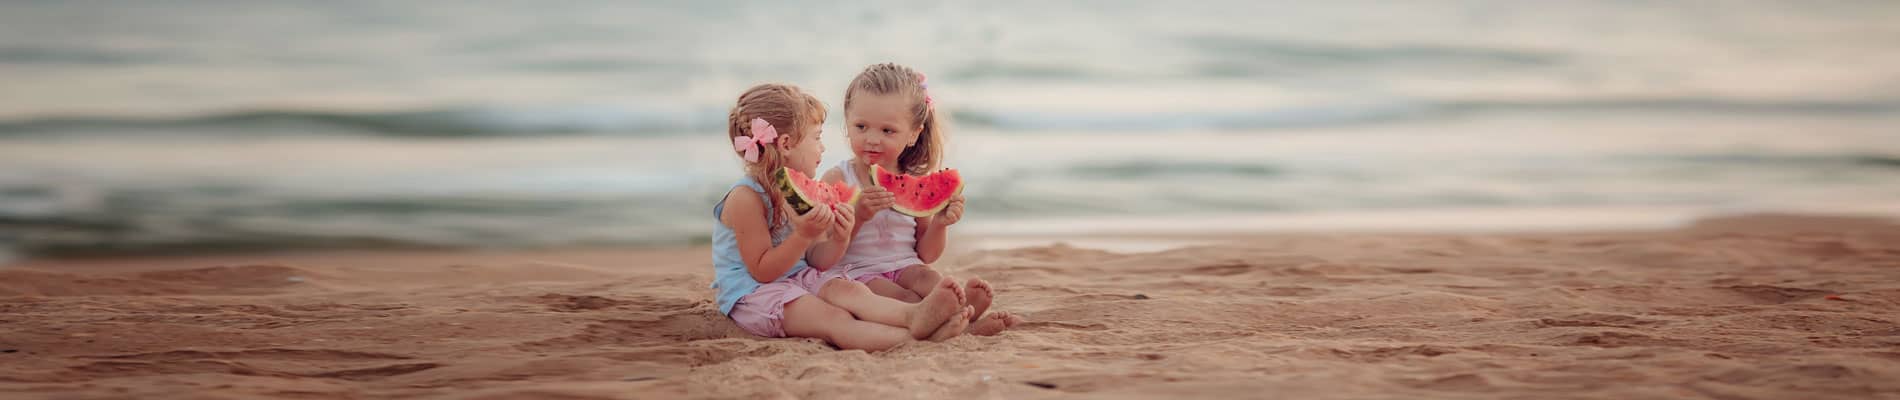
{"x":881,"y":128}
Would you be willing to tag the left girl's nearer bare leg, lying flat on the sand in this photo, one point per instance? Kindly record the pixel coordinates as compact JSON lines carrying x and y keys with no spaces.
{"x":812,"y":318}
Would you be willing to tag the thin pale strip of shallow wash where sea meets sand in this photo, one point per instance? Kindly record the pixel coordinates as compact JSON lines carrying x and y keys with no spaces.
{"x":1133,"y":234}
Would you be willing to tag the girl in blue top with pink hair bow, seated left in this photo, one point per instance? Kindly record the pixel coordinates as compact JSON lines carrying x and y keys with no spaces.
{"x":759,"y":244}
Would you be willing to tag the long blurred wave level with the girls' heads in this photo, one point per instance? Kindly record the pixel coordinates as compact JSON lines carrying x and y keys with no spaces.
{"x":615,"y":120}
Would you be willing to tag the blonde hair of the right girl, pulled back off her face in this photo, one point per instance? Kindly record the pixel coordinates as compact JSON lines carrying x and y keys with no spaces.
{"x":892,"y":79}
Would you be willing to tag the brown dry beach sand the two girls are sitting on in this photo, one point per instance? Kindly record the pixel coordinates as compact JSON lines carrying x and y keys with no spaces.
{"x":1741,"y":308}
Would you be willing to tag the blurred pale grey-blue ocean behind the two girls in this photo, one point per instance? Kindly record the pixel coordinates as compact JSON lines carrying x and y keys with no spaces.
{"x":204,"y":126}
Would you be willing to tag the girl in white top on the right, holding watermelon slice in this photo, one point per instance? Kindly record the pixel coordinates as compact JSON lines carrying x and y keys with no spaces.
{"x":894,"y":124}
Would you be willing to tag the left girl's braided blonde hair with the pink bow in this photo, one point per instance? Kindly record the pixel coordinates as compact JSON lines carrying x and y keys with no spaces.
{"x":791,"y":113}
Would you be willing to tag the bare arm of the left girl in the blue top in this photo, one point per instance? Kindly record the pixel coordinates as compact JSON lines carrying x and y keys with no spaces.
{"x":746,"y":215}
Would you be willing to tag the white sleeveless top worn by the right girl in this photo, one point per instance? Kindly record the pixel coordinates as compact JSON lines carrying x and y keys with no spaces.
{"x":886,"y":244}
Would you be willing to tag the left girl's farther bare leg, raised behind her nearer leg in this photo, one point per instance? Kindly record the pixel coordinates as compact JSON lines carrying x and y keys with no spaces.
{"x":921,"y":319}
